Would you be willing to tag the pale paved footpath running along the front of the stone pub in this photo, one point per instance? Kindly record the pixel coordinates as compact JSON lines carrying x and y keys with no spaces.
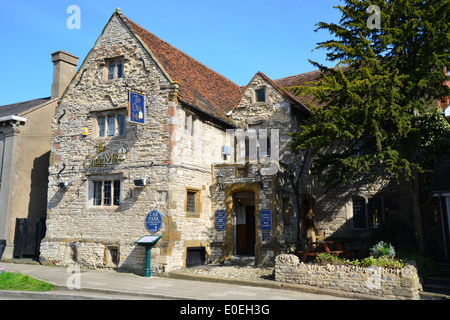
{"x":177,"y":286}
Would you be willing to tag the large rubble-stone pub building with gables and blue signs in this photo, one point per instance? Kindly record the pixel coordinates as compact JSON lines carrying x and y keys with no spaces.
{"x":147,"y":140}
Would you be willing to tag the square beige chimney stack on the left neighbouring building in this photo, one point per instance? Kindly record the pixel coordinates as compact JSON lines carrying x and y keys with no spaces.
{"x":64,"y":67}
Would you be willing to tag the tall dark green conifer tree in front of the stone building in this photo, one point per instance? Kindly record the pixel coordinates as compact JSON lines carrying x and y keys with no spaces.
{"x":377,"y":102}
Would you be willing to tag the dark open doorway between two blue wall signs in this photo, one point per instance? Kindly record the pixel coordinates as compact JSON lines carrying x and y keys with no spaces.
{"x":244,"y":223}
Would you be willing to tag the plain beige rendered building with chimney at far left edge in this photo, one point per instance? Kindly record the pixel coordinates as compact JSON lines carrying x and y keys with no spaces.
{"x":25,"y":136}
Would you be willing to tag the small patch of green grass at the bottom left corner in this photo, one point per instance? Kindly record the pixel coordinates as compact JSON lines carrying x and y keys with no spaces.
{"x":20,"y":282}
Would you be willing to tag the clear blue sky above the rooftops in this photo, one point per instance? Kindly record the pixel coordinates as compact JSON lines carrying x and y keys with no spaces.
{"x":236,"y":38}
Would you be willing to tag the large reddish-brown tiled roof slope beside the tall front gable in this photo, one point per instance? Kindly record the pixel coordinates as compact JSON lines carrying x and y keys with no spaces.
{"x":199,"y":85}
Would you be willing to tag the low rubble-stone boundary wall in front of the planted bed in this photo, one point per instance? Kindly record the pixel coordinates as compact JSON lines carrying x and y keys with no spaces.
{"x":388,"y":283}
